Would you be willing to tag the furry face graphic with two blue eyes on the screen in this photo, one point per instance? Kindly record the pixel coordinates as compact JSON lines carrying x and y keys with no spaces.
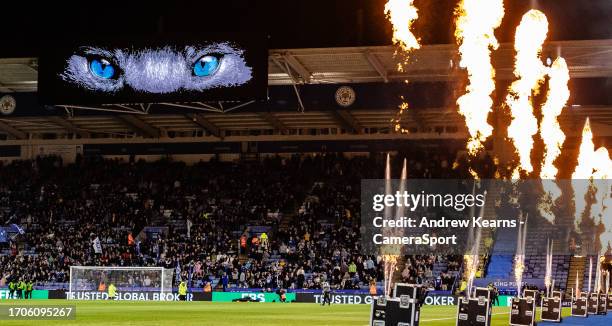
{"x":159,"y":70}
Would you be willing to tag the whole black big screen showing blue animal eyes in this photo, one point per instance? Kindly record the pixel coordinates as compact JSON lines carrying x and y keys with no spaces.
{"x":154,"y":69}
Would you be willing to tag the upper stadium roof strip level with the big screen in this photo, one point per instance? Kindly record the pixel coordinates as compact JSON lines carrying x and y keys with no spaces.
{"x":586,"y":59}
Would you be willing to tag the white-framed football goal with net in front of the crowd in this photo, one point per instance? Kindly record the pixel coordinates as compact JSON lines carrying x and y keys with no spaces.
{"x":132,"y":283}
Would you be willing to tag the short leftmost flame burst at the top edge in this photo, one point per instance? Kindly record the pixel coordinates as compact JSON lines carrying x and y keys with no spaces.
{"x":402,"y":14}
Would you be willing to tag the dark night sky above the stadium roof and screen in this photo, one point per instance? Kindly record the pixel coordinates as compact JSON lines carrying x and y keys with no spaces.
{"x":289,"y":23}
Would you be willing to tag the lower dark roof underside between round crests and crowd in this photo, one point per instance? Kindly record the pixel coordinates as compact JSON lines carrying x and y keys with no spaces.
{"x":355,"y":121}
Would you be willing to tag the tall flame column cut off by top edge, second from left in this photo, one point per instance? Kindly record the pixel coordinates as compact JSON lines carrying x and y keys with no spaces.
{"x":476,"y":24}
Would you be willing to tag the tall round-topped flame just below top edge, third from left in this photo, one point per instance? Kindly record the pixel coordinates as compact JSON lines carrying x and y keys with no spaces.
{"x":530,"y":71}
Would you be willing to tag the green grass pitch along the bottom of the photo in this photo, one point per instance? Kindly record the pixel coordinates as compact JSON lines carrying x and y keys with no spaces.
{"x":235,"y":314}
